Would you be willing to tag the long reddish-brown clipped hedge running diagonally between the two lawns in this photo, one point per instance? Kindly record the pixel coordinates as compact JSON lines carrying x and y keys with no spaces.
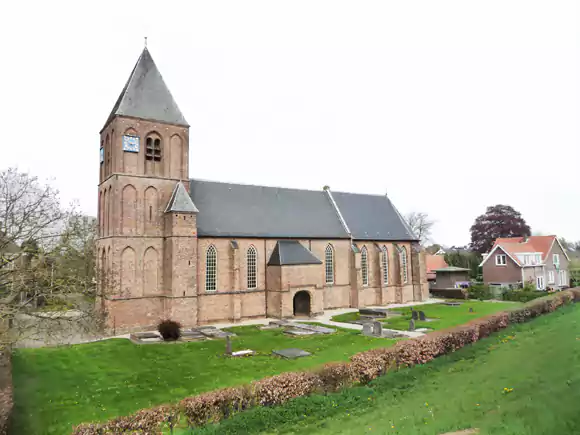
{"x":362,"y":368}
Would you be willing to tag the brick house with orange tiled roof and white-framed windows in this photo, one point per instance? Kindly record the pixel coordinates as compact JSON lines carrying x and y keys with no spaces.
{"x":540,"y":260}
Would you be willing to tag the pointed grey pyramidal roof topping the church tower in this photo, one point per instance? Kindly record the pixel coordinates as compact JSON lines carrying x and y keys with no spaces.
{"x":146,"y":95}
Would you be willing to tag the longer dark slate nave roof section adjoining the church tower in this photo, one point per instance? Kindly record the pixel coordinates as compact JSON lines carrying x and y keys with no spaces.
{"x":236,"y":210}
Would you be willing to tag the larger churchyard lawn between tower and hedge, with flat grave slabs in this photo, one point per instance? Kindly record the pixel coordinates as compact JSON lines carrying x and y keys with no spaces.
{"x":58,"y":387}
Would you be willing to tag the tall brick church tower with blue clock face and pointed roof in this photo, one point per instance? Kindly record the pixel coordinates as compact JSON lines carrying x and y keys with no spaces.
{"x":147,"y":243}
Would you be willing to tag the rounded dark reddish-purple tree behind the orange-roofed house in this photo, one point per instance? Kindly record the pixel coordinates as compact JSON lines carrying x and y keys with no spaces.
{"x":498,"y":221}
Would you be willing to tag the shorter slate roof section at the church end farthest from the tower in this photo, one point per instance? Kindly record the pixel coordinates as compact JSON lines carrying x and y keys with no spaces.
{"x":372,"y":217}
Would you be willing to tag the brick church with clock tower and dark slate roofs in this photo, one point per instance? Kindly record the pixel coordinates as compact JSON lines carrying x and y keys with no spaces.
{"x":199,"y":252}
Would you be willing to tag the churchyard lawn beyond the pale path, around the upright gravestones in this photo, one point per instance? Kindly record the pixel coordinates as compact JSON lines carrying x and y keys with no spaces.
{"x":445,"y":316}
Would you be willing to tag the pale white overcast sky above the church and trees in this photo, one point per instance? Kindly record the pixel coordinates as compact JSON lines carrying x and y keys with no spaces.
{"x":449,"y":106}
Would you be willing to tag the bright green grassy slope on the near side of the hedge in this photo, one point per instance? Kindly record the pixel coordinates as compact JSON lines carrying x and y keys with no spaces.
{"x":537,"y":362}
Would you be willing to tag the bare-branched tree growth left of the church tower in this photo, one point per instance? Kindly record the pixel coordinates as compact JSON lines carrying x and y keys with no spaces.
{"x":47,"y":260}
